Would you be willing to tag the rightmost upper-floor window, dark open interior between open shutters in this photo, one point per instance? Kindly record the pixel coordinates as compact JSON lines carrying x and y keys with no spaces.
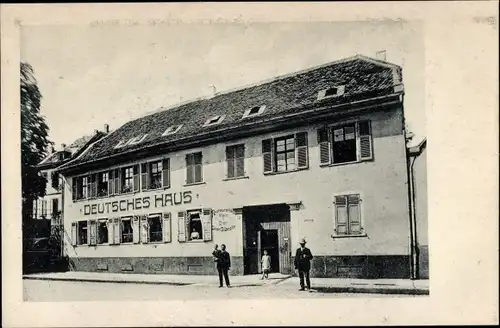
{"x":345,"y":143}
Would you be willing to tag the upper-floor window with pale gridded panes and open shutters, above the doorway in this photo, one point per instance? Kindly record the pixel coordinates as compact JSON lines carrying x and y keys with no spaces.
{"x":285,"y":154}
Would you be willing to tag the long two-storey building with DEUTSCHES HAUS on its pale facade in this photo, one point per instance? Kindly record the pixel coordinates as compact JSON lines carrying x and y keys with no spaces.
{"x":319,"y":154}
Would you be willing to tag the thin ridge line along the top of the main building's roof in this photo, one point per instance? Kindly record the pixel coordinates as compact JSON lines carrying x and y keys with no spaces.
{"x":266,"y":81}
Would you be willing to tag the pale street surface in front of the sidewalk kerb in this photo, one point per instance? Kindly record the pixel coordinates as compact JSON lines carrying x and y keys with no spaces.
{"x":53,"y":291}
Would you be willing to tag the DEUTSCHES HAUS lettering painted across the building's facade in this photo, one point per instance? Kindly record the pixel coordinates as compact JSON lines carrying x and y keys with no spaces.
{"x":156,"y":201}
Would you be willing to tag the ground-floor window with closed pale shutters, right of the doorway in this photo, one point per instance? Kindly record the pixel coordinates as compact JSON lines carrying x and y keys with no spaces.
{"x":348,"y":215}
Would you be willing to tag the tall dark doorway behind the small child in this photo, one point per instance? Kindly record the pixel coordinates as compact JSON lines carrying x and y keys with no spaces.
{"x":266,"y":227}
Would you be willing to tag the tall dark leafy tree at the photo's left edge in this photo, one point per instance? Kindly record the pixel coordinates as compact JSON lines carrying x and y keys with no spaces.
{"x":34,"y":140}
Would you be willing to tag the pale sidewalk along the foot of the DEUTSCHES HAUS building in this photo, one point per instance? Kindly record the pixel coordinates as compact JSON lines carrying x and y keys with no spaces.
{"x":325,"y":285}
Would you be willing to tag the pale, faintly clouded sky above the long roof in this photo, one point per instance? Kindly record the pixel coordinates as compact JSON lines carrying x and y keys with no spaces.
{"x":111,"y":73}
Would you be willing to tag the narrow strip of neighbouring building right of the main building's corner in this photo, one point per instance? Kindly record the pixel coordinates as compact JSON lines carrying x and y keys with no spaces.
{"x":418,"y":170}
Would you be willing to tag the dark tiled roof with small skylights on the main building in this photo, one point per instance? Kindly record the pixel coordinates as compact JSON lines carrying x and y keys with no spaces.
{"x":363,"y":78}
